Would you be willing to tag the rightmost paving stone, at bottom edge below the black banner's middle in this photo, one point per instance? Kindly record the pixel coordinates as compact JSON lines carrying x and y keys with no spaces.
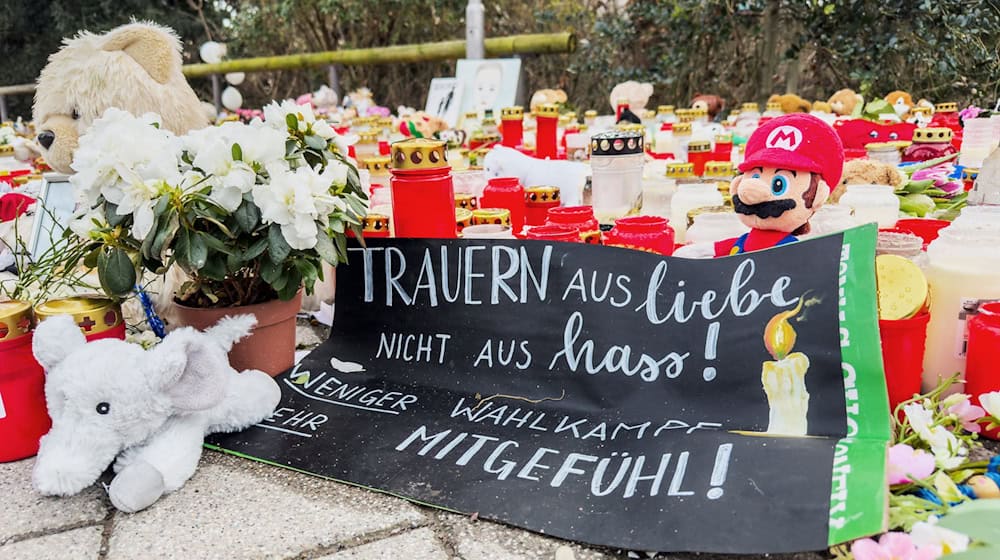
{"x":485,"y":540}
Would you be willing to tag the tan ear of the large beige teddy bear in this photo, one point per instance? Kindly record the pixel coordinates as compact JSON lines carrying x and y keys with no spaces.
{"x":155,"y":49}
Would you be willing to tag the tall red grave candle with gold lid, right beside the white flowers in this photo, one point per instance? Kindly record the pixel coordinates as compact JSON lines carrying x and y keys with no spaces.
{"x":423,"y":197}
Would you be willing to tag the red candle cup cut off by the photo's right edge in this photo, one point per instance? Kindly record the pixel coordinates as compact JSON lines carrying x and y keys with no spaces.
{"x":981,"y":373}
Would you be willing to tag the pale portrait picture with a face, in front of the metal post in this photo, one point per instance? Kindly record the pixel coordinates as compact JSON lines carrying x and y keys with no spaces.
{"x":488,"y":84}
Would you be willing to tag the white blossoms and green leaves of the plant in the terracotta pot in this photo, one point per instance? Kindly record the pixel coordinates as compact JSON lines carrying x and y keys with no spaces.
{"x":247,"y":211}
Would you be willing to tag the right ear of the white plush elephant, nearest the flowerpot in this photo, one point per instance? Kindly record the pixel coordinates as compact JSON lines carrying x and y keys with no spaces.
{"x":190,"y":370}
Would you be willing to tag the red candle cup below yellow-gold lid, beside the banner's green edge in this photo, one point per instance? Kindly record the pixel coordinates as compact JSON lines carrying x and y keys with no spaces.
{"x":903,"y":356}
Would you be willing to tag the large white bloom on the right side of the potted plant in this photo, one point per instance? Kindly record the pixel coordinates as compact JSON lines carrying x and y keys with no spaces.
{"x":296,"y":200}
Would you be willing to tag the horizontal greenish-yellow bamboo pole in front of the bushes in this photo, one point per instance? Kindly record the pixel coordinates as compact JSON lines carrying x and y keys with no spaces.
{"x":542,"y":43}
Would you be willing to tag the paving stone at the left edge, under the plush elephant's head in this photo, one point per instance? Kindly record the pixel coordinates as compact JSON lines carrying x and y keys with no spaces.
{"x":25,"y":511}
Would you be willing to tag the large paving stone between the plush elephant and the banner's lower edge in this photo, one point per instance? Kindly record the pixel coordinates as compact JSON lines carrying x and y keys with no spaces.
{"x":236,"y":508}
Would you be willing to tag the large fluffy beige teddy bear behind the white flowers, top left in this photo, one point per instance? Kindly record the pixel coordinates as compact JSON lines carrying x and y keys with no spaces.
{"x":135,"y":67}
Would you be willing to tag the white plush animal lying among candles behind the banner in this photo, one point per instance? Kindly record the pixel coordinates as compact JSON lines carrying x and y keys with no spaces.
{"x":569,"y":176}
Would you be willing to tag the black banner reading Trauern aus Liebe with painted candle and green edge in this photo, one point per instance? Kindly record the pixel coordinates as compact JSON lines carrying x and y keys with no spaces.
{"x":602,"y":395}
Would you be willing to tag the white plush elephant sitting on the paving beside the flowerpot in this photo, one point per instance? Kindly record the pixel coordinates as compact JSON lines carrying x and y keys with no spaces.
{"x":146,"y":410}
